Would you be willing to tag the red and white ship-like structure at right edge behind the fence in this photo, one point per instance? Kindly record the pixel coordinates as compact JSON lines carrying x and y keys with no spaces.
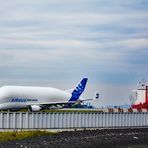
{"x":141,"y":96}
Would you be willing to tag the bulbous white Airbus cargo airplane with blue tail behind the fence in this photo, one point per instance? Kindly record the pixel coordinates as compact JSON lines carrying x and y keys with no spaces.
{"x":14,"y":98}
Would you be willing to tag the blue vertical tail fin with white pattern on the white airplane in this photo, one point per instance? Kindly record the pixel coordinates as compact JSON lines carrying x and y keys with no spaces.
{"x":78,"y":90}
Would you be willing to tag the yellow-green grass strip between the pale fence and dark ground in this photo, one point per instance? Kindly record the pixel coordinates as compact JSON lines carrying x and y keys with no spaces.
{"x":15,"y":135}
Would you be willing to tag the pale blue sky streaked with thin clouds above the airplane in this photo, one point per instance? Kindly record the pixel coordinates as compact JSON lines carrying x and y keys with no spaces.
{"x":57,"y":43}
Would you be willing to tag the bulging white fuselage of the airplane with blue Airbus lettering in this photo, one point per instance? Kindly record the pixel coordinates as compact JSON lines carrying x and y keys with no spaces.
{"x":23,"y":96}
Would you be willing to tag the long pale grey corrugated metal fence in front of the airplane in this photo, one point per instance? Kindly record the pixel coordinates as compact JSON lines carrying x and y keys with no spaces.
{"x":67,"y":120}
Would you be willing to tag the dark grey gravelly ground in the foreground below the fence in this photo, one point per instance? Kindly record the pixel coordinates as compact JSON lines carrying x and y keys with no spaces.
{"x":100,"y":138}
